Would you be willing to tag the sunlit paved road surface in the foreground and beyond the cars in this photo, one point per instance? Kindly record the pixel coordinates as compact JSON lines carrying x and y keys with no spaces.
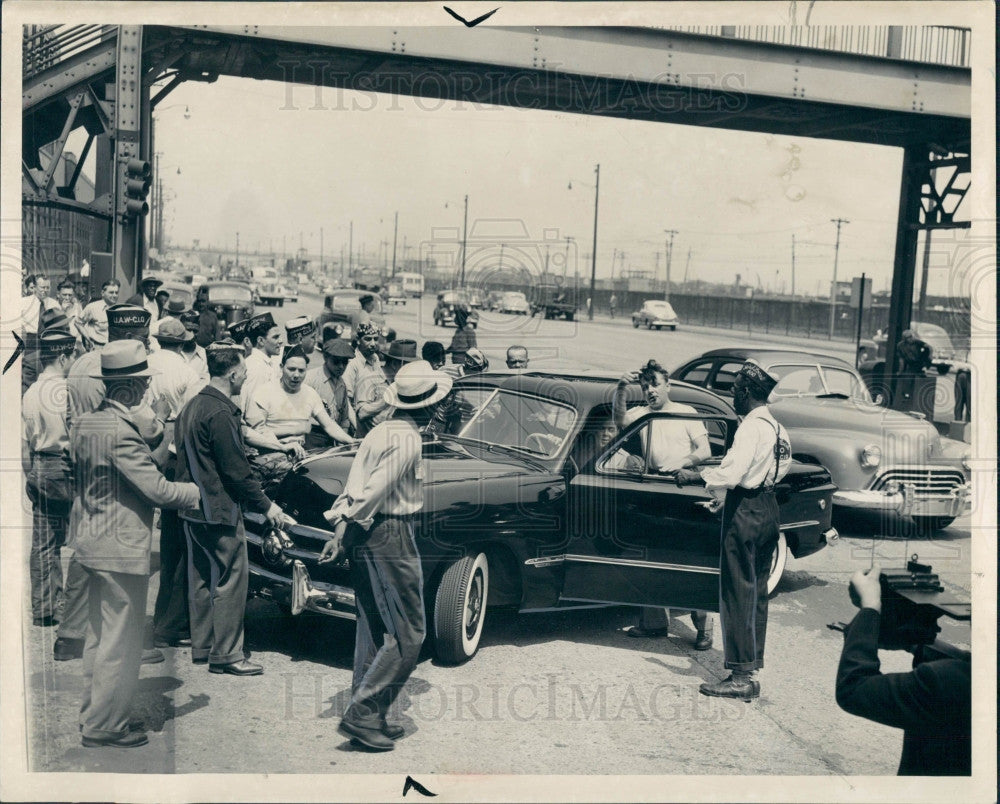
{"x":563,"y":692}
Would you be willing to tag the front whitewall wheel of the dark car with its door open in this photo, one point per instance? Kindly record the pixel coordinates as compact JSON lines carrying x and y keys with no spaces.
{"x":460,"y":609}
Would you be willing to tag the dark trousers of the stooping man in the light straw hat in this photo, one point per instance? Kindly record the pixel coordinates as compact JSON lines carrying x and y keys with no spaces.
{"x":388,"y":587}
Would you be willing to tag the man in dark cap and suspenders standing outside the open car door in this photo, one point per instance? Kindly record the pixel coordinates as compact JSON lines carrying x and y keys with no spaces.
{"x":759,"y":458}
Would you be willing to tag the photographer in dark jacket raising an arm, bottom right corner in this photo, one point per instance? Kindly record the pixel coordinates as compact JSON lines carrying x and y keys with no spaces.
{"x":932,"y":703}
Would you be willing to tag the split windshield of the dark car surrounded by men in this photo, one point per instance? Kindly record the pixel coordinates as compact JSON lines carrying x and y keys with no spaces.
{"x":530,"y":423}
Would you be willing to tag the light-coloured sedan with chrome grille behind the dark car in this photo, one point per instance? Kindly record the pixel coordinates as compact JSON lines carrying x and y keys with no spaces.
{"x":881,"y":460}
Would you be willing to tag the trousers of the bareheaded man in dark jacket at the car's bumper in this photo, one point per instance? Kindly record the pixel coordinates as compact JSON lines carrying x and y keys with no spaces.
{"x":218,"y":575}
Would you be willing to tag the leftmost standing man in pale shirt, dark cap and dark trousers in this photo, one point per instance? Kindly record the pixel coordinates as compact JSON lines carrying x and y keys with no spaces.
{"x":45,"y":459}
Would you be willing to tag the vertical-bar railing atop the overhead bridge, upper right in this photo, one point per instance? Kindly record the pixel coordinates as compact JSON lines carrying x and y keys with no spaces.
{"x":931,"y":44}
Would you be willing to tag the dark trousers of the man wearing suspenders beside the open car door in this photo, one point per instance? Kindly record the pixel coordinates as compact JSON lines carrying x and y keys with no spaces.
{"x":749,"y":536}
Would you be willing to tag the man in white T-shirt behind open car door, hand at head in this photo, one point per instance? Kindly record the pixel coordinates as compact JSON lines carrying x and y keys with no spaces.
{"x":668,"y":445}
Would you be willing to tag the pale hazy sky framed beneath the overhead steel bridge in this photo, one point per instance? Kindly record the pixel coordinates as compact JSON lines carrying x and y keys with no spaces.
{"x":273,"y":160}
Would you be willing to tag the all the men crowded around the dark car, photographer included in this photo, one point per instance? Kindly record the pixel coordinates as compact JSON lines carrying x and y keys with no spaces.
{"x":116,"y":428}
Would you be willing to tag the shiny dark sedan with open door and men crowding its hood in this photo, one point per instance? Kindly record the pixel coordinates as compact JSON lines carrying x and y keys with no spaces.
{"x":525,"y":506}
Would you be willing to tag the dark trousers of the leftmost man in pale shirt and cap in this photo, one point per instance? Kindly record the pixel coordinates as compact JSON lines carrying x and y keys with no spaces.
{"x":50,"y":489}
